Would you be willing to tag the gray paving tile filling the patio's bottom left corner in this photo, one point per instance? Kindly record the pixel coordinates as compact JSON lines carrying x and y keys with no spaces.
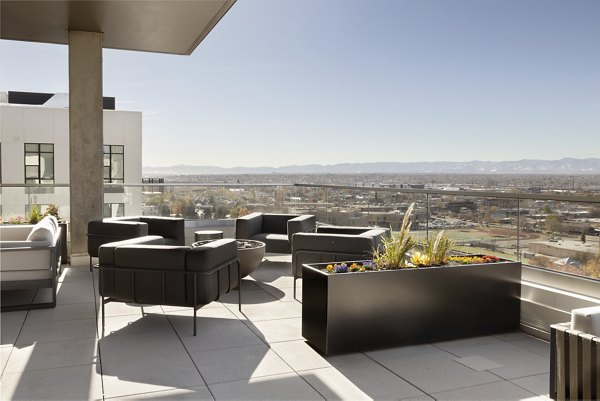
{"x":81,"y":382}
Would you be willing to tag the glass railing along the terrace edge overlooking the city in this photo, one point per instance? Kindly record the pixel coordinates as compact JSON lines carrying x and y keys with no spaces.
{"x":558,"y":232}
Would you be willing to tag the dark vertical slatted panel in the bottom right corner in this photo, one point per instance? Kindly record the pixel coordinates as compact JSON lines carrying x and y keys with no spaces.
{"x":575,"y":364}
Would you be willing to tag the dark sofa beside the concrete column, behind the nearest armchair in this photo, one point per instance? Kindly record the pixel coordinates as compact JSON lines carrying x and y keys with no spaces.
{"x":116,"y":229}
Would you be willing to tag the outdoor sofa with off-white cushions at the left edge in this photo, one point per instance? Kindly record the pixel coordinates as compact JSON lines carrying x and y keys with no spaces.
{"x":30,"y":258}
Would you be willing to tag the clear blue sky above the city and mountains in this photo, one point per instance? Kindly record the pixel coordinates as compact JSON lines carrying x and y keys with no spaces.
{"x":282,"y":82}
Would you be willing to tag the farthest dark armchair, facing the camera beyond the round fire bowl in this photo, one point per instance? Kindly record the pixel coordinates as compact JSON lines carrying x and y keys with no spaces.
{"x":275,"y":230}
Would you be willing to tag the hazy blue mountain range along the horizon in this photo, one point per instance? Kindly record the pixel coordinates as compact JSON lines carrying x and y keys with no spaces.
{"x":562,"y":166}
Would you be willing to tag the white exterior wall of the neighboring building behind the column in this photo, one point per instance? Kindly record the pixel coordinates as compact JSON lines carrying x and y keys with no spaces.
{"x":20,"y":124}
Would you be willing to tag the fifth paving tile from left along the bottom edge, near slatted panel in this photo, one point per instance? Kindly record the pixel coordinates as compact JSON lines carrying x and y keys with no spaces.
{"x":498,"y":391}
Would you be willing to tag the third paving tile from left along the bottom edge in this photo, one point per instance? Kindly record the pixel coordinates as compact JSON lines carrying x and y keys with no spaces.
{"x":287,"y":386}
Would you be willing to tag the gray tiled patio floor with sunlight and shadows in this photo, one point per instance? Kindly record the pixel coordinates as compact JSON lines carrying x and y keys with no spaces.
{"x":149,"y":352}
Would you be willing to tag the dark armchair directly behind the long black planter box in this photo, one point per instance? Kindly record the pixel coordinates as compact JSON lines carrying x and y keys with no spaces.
{"x":334,"y":244}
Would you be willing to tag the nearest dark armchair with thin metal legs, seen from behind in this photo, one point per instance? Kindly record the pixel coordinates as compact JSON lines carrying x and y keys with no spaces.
{"x":142,"y":270}
